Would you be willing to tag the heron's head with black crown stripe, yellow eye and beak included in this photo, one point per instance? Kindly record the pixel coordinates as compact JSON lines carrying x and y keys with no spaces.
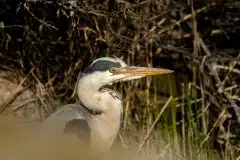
{"x":106,"y":71}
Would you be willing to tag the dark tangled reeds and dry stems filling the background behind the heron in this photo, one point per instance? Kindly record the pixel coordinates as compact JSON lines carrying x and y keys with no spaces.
{"x":191,"y":114}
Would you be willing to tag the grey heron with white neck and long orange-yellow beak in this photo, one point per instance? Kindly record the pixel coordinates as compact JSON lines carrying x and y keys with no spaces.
{"x":97,"y":118}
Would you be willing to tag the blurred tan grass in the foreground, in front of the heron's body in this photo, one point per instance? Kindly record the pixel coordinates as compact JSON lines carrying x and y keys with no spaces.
{"x":22,"y":141}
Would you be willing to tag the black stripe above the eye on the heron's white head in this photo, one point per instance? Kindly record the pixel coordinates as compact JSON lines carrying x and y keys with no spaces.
{"x":102,"y":65}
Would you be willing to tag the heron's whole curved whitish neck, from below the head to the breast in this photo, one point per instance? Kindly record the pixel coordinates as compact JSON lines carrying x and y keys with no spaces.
{"x":104,"y":101}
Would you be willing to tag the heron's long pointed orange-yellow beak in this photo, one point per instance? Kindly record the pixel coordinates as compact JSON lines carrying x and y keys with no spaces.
{"x":141,"y":71}
